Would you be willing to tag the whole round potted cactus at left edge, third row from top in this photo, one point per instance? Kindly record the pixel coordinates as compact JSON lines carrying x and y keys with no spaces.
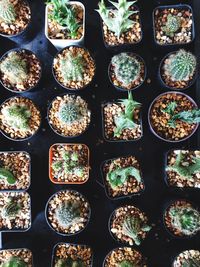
{"x":20,"y":118}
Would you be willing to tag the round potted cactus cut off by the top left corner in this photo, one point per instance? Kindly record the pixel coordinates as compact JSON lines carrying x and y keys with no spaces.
{"x":15,"y":17}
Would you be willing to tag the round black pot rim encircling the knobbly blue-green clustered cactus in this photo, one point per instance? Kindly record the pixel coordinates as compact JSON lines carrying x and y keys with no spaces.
{"x":123,"y":88}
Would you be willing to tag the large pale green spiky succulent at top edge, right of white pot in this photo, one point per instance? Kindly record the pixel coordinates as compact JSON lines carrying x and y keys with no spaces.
{"x":117,"y":20}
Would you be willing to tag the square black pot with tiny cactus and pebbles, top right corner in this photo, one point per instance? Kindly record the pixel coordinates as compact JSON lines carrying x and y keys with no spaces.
{"x":173,"y":25}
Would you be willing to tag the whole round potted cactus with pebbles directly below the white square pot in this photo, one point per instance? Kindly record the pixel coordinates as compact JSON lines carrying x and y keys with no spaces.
{"x":74,"y":68}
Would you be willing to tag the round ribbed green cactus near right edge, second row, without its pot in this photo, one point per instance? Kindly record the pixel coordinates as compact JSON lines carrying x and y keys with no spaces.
{"x":180,"y":66}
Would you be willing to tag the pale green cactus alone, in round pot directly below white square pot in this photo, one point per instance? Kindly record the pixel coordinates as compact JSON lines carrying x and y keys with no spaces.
{"x":72,"y":67}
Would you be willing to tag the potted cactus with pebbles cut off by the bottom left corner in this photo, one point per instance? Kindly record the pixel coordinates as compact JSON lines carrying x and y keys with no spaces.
{"x":21,"y":257}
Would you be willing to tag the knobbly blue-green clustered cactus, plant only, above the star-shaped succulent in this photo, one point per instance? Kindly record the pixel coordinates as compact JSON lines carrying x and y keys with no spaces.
{"x":127,"y":68}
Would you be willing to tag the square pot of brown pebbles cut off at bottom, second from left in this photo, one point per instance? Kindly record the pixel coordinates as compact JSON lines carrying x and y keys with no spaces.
{"x":66,"y":254}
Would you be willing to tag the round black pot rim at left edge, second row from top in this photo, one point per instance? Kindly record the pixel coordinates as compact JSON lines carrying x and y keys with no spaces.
{"x":28,"y":52}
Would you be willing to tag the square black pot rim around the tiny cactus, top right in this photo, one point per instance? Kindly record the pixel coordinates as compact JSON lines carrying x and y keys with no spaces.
{"x":180,"y":6}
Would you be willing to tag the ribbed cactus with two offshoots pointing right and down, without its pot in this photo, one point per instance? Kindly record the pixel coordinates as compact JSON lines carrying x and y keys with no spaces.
{"x":132,"y":227}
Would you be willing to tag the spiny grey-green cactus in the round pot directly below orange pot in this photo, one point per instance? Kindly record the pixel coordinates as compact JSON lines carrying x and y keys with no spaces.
{"x":68,"y":213}
